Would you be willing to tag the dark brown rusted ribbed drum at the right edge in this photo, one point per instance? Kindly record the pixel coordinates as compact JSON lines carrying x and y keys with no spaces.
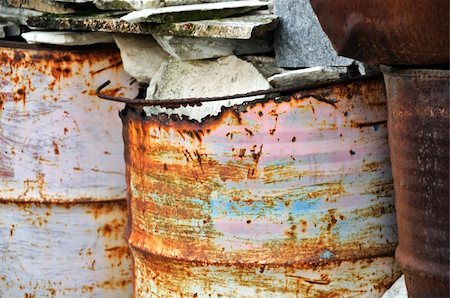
{"x":419,"y":120}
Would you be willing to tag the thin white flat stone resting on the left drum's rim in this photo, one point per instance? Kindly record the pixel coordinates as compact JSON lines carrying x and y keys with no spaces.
{"x":68,"y":38}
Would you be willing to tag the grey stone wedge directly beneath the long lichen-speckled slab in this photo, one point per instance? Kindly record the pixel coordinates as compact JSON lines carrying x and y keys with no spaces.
{"x":193,"y":48}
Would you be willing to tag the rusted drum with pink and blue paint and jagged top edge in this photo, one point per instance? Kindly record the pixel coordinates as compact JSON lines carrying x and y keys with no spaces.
{"x":271,"y":198}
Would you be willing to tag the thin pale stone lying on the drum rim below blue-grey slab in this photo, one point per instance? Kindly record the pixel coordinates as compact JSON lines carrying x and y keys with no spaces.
{"x":307,"y":76}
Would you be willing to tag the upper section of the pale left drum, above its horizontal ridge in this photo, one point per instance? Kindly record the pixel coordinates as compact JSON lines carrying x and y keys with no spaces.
{"x":57,"y":141}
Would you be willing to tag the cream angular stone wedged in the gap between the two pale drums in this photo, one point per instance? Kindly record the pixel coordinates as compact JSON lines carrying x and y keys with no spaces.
{"x":141,"y":55}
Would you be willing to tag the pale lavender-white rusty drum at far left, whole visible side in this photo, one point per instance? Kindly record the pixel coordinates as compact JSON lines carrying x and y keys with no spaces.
{"x":62,"y":186}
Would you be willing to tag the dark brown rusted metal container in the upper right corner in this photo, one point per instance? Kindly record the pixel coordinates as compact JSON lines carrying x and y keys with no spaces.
{"x":400,"y":32}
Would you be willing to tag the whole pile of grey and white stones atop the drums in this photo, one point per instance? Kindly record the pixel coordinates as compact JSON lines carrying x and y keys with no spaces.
{"x":191,"y":48}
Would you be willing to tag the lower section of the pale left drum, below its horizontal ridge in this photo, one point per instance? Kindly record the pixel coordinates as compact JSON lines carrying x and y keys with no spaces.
{"x":56,"y":250}
